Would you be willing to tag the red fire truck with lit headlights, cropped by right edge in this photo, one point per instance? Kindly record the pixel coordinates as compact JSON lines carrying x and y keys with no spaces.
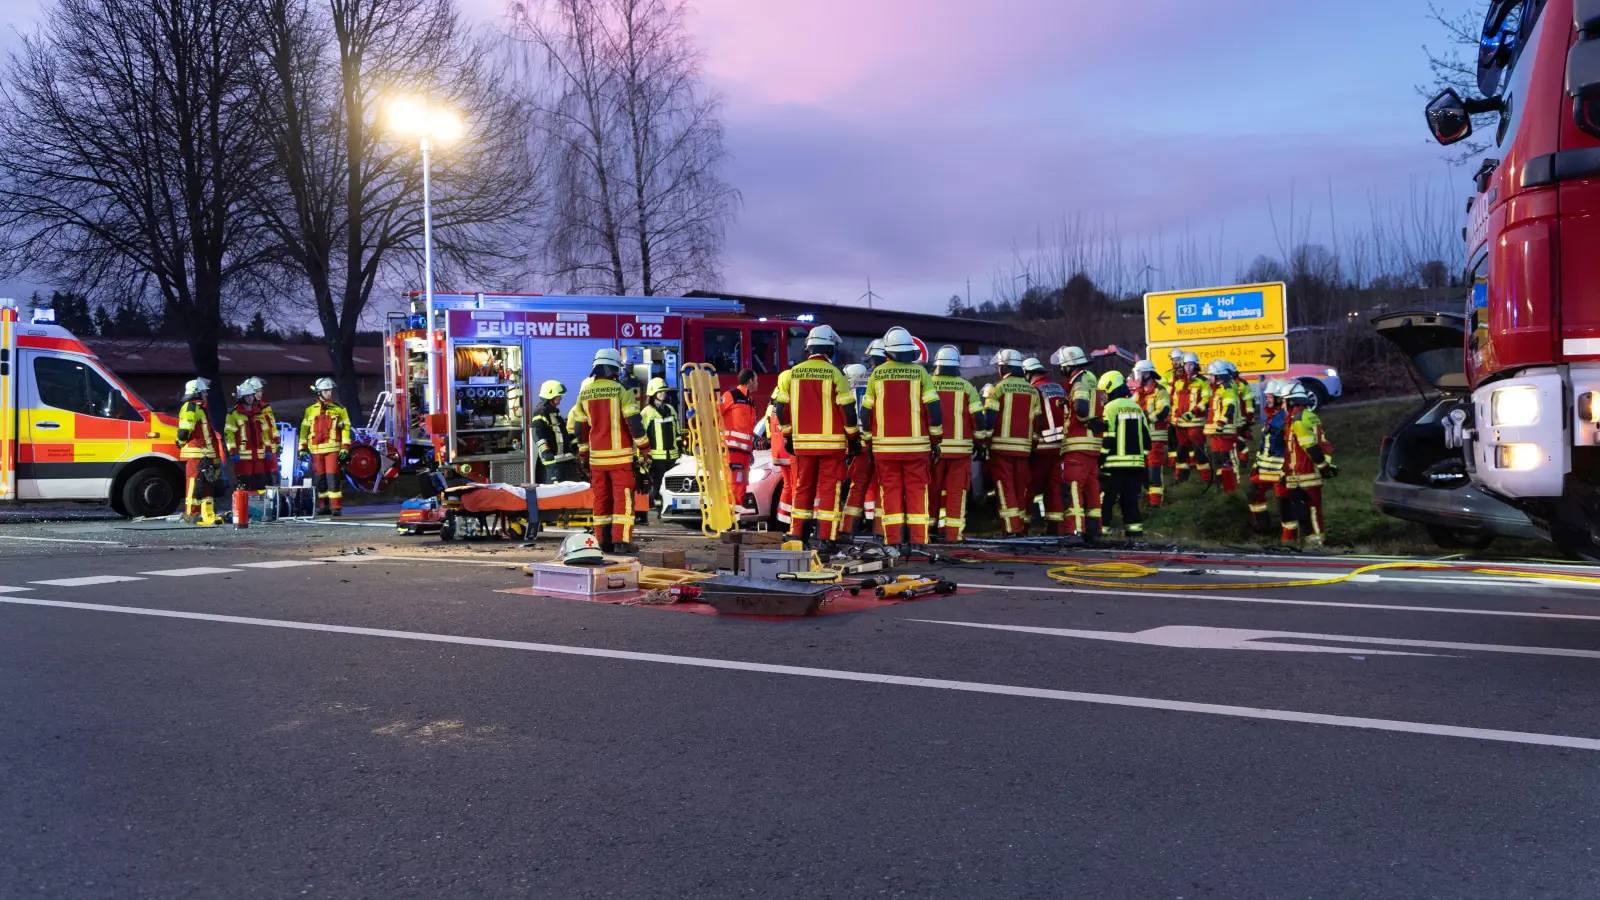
{"x":1530,"y":339}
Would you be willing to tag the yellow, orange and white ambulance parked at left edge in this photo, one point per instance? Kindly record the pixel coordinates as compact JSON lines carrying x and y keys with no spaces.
{"x":71,"y":430}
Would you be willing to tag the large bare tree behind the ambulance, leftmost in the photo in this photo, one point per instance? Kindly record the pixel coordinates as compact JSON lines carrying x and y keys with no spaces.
{"x":127,"y":153}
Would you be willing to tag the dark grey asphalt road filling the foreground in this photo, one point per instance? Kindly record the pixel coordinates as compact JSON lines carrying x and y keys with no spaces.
{"x":260,"y":717}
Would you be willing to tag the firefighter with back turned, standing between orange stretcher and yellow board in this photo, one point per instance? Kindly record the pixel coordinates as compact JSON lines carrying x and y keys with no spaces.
{"x":610,"y":441}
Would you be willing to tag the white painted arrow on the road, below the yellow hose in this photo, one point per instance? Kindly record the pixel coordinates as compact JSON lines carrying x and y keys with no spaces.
{"x":1207,"y":638}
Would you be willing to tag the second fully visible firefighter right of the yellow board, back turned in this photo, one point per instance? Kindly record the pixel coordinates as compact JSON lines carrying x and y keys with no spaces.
{"x":903,"y":417}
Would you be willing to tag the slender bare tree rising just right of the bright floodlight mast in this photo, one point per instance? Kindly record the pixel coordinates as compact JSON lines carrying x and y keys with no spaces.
{"x":638,"y":143}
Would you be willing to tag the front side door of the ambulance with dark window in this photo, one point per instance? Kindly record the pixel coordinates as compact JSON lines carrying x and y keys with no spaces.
{"x":76,"y":427}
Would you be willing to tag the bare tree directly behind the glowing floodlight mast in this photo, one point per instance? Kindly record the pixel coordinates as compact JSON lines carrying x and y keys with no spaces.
{"x":345,"y":196}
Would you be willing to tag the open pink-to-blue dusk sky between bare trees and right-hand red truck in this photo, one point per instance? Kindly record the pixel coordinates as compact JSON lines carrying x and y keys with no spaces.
{"x":916,"y":142}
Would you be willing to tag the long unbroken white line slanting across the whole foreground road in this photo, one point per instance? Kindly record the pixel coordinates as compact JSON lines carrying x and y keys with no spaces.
{"x":871,"y":678}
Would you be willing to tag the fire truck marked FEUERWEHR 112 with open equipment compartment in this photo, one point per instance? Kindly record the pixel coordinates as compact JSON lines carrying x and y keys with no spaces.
{"x":463,"y":395}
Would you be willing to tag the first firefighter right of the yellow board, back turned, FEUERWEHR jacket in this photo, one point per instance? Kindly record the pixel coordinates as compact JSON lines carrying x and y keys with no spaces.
{"x":815,"y":409}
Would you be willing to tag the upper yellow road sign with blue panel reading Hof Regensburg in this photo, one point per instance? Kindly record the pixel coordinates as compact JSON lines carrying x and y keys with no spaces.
{"x":1217,"y":315}
